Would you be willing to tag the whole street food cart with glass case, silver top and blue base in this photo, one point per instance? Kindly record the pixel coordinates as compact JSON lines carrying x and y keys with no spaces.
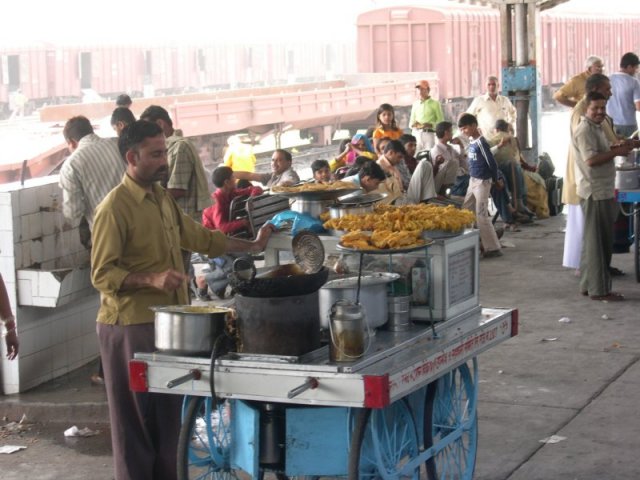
{"x":406,"y":405}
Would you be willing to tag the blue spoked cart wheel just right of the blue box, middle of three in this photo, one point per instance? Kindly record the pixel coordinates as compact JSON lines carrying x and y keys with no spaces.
{"x":382,"y":442}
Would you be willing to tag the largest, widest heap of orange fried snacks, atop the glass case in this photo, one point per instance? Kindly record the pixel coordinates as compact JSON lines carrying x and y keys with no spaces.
{"x":408,"y":217}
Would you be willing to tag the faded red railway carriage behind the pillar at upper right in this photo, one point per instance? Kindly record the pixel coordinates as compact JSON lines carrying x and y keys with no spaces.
{"x":462,"y":43}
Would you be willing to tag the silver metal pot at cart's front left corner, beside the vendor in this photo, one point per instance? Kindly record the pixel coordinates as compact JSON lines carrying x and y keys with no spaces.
{"x":188,"y":329}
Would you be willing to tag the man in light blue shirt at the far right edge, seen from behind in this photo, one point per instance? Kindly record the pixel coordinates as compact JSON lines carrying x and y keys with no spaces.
{"x":625,"y":100}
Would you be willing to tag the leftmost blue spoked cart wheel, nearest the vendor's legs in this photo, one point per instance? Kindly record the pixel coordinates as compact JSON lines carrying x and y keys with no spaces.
{"x":204,"y":443}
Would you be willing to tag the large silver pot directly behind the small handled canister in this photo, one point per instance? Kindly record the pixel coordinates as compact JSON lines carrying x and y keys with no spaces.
{"x":373,"y":296}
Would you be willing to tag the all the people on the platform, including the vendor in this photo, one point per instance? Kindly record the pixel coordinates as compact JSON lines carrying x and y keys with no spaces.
{"x":143,"y":205}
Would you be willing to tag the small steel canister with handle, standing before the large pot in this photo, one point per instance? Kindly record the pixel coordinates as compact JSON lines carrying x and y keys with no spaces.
{"x":347,"y":329}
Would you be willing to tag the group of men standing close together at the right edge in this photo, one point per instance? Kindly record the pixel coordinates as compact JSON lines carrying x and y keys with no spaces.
{"x":603,"y":126}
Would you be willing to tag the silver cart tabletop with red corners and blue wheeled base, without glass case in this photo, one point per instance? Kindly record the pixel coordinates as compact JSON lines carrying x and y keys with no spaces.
{"x":408,"y":406}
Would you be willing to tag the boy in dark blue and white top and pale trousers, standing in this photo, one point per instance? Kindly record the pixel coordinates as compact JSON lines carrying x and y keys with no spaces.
{"x":483,"y":171}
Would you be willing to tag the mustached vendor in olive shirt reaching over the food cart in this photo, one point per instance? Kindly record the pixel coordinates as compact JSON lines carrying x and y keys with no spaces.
{"x":137,"y":235}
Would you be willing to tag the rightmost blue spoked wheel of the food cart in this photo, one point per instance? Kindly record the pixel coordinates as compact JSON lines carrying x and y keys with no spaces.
{"x":451,"y":424}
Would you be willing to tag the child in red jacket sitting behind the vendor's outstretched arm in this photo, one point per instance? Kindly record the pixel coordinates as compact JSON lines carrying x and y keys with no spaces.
{"x":216,"y":217}
